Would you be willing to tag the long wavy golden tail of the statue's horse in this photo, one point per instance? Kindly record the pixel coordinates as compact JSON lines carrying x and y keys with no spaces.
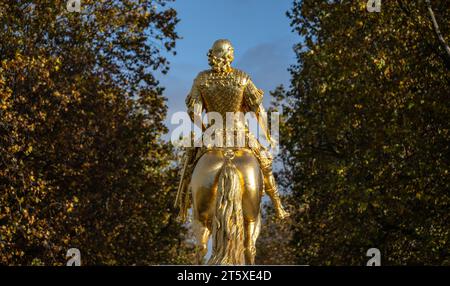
{"x":228,"y":221}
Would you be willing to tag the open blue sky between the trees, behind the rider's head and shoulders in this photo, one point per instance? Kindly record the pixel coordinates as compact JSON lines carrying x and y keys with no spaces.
{"x":258,"y":29}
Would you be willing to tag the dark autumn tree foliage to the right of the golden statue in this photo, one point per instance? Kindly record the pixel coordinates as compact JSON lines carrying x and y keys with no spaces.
{"x":366,"y":136}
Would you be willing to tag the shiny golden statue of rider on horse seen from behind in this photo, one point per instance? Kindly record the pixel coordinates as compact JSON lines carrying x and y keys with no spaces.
{"x":227,"y":183}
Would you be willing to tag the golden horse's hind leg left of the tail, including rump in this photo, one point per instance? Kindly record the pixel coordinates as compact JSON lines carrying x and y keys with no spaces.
{"x":204,"y":188}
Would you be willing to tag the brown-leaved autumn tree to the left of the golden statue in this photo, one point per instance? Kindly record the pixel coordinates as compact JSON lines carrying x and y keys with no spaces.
{"x":82,"y":163}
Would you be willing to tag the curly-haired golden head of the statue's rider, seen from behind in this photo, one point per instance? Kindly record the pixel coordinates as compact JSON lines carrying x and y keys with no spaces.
{"x":221,"y":55}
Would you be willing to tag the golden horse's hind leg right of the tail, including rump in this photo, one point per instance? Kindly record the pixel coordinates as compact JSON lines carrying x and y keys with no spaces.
{"x":253,"y":184}
